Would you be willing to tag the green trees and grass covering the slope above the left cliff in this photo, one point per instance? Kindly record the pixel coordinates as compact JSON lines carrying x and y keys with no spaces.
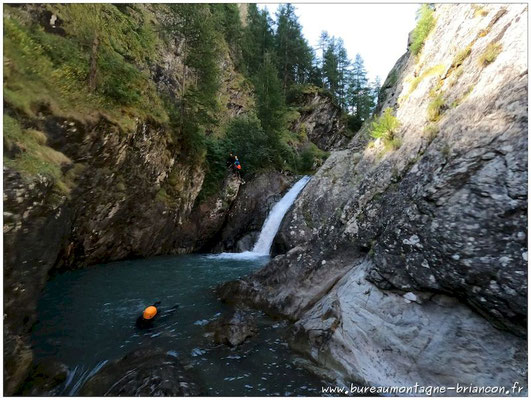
{"x":81,"y":60}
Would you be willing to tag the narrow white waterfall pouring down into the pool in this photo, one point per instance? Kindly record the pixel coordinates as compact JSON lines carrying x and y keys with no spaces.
{"x":271,"y":225}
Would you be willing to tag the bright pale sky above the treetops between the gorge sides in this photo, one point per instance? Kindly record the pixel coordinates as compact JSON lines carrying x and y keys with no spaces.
{"x":378,"y":32}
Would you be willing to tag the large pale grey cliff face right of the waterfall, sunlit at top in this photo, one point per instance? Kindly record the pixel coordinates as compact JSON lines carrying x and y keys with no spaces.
{"x":408,"y":263}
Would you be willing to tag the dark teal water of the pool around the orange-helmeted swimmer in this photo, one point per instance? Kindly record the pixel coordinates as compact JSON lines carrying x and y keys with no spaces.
{"x":87,"y":317}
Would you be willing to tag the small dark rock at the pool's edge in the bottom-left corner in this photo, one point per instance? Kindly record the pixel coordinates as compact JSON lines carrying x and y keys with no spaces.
{"x":45,"y":379}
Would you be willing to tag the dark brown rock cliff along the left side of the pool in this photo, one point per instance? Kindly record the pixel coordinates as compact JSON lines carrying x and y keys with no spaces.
{"x":126,"y":191}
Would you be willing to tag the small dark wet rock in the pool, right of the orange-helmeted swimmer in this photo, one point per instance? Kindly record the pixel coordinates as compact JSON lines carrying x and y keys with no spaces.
{"x":233,"y":329}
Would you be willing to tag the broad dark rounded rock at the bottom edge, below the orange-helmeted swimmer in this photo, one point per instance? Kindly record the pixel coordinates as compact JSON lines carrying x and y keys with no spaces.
{"x":146,"y":372}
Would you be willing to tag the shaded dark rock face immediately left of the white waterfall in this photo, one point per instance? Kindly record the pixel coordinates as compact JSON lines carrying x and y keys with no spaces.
{"x":249,"y":211}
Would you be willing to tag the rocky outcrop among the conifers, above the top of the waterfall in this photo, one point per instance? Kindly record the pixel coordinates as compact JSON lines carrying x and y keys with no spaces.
{"x":320,"y":119}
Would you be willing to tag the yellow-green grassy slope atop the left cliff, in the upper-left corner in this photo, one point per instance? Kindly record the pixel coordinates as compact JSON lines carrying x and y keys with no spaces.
{"x":52,"y":69}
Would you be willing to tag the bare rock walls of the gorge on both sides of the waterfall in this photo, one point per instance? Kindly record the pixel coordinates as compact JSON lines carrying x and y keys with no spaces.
{"x":398,"y":264}
